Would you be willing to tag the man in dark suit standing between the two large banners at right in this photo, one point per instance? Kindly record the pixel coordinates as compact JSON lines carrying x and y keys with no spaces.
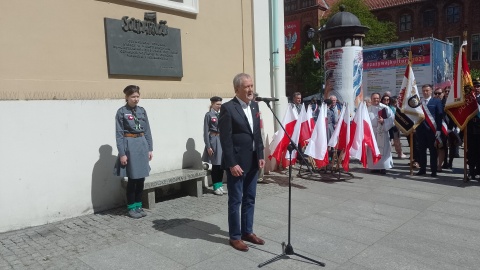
{"x":429,"y":130}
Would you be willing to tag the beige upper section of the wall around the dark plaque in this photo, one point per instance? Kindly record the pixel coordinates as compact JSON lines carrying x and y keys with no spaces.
{"x":55,"y":49}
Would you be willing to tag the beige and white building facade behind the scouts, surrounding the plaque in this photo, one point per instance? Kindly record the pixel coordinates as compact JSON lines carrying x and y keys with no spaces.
{"x":59,"y":99}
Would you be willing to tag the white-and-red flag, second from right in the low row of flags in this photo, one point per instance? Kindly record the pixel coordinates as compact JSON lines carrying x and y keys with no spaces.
{"x":341,"y":137}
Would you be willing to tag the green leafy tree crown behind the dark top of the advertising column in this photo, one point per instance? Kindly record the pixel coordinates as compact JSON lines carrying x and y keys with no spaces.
{"x":380,"y":32}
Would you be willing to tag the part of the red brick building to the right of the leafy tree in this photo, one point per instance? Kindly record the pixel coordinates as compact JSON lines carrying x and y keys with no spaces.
{"x":441,"y":19}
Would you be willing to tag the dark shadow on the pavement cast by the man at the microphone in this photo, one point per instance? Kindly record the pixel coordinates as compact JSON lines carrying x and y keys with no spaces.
{"x":202,"y":230}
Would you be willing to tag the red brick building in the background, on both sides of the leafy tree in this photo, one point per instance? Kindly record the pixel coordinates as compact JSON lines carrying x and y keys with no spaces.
{"x":441,"y":19}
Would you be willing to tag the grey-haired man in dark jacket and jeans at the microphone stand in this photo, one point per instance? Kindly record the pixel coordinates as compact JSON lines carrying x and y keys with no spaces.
{"x":242,"y":145}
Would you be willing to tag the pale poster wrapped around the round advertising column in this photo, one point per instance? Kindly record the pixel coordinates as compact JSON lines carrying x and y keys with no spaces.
{"x":344,"y":75}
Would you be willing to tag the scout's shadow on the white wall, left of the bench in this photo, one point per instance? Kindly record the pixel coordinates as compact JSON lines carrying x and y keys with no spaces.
{"x":107,"y":191}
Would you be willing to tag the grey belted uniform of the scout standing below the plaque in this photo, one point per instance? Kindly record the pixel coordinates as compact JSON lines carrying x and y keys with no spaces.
{"x":133,"y":121}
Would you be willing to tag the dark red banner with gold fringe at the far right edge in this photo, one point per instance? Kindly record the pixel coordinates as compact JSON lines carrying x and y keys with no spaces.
{"x":461,"y":105}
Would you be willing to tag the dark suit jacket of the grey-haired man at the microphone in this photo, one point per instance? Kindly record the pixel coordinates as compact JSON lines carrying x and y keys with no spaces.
{"x":236,"y":136}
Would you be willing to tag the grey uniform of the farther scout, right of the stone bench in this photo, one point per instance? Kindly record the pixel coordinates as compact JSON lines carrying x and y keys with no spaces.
{"x":210,"y":124}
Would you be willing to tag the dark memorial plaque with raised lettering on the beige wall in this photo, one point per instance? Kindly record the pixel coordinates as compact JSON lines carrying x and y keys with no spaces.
{"x":143,"y":48}
